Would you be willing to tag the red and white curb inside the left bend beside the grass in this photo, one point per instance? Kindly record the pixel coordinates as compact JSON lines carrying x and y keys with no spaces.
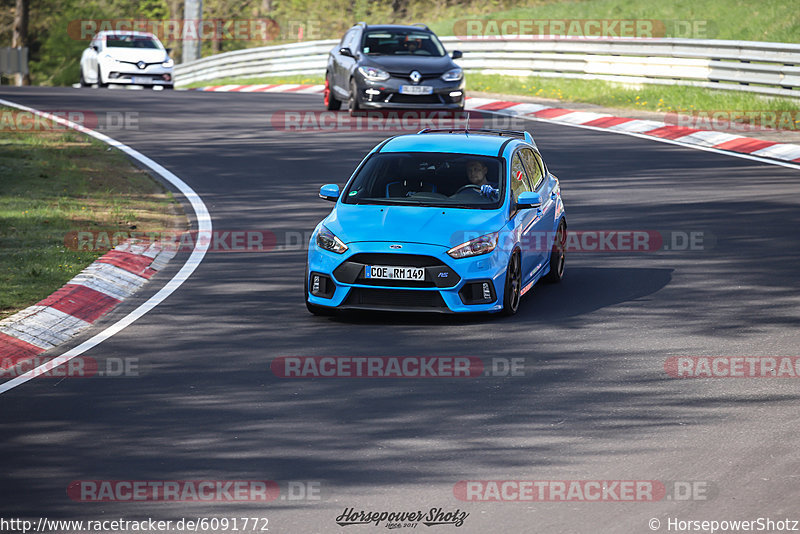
{"x":93,"y":292}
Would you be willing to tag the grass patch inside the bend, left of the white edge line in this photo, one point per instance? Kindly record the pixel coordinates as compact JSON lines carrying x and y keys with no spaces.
{"x":57,"y":181}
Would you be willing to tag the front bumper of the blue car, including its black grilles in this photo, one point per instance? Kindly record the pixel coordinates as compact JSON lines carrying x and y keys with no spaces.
{"x":450,"y":285}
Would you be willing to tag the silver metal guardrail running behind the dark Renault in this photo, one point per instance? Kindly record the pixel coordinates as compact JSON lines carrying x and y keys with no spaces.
{"x":765,"y":68}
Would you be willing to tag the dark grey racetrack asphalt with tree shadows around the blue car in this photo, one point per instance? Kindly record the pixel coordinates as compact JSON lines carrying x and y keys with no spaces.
{"x":595,"y":402}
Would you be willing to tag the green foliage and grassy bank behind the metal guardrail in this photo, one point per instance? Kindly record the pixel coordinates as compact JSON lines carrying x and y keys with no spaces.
{"x":55,"y":54}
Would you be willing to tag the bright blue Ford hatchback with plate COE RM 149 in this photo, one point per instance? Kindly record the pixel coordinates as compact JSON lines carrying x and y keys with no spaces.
{"x":439,"y":221}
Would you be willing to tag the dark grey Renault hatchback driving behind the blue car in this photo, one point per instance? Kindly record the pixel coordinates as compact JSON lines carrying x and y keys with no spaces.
{"x":392,"y":66}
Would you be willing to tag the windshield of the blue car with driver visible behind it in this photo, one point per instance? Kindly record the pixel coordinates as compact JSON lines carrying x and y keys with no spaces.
{"x":428,"y":179}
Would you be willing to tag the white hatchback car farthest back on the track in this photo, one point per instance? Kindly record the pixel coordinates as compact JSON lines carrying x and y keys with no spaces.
{"x":127,"y":57}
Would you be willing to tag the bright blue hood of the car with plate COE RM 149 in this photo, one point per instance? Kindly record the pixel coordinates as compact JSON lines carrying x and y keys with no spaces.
{"x":446,"y":227}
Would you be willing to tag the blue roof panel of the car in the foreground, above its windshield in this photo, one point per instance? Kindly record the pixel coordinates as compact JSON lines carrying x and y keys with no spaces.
{"x":478,"y":144}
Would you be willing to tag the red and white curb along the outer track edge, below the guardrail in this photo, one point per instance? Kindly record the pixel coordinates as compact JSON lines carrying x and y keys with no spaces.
{"x":722,"y":141}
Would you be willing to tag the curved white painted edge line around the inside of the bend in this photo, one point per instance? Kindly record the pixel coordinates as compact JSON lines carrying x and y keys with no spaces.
{"x":199,"y":251}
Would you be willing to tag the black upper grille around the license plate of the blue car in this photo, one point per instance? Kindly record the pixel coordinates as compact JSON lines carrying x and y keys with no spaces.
{"x":437,"y":273}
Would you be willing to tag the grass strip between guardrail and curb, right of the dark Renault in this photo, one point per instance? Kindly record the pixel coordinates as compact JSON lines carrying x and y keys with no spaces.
{"x":663,"y":98}
